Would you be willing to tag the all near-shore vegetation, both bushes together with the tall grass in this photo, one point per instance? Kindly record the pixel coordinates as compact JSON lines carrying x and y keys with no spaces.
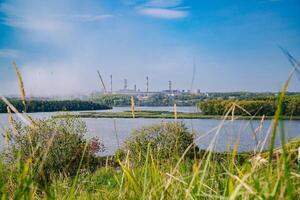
{"x":54,"y":161}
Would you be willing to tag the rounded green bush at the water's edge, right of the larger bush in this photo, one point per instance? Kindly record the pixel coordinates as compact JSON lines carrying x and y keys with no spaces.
{"x":168,"y":141}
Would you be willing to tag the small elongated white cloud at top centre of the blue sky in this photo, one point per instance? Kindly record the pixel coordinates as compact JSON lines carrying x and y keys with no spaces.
{"x":163,"y":13}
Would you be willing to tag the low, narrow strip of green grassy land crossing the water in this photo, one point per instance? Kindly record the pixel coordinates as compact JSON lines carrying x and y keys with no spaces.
{"x":163,"y":115}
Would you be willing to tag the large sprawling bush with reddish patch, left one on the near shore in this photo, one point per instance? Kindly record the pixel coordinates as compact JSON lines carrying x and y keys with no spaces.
{"x":55,"y":146}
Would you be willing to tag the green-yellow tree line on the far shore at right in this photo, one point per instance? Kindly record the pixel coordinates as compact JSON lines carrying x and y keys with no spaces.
{"x":260,"y":106}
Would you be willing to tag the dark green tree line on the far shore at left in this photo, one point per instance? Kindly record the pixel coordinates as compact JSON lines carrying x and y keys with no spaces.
{"x":52,"y":105}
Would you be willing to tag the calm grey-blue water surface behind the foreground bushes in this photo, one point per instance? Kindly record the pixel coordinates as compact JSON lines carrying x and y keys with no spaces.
{"x":228,"y":135}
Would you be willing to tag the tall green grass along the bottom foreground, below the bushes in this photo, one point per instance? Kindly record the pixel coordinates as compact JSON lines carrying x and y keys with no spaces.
{"x":225,"y":176}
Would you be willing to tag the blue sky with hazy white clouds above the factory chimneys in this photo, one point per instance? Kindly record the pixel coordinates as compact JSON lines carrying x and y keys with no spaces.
{"x":59,"y":45}
